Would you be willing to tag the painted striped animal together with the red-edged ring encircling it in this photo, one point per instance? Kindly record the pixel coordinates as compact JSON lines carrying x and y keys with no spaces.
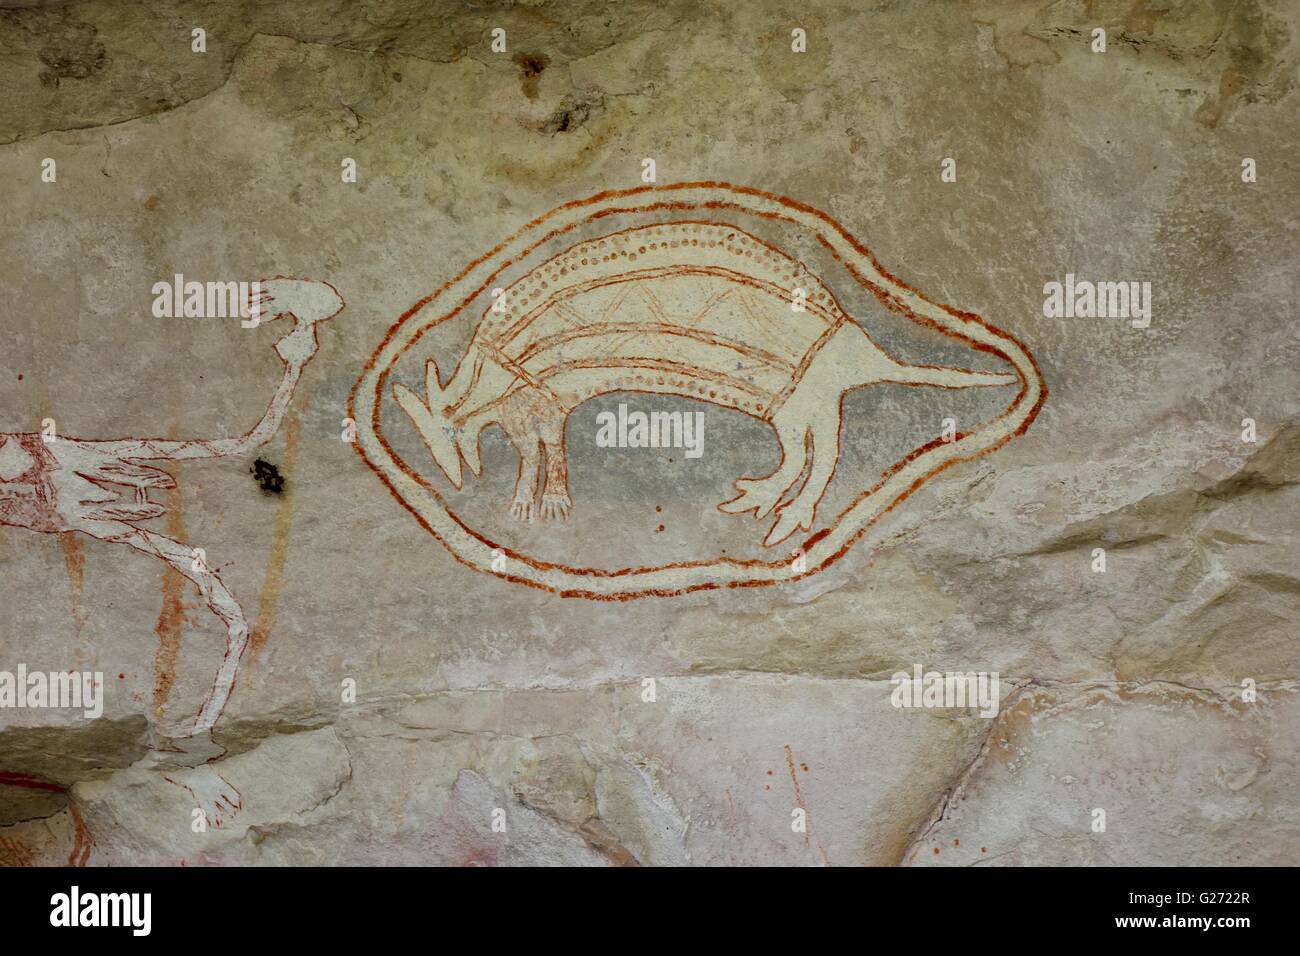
{"x":671,"y":297}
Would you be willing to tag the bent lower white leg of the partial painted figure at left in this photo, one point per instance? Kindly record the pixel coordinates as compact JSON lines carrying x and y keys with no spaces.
{"x":216,"y":595}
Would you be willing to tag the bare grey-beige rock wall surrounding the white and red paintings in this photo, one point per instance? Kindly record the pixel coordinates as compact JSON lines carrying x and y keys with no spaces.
{"x":497,"y":724}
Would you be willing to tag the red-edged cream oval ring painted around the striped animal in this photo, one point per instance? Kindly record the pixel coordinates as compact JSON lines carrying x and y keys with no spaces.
{"x":887,"y":299}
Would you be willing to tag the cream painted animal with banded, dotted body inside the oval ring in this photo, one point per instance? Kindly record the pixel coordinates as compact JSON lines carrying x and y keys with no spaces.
{"x":695,"y":309}
